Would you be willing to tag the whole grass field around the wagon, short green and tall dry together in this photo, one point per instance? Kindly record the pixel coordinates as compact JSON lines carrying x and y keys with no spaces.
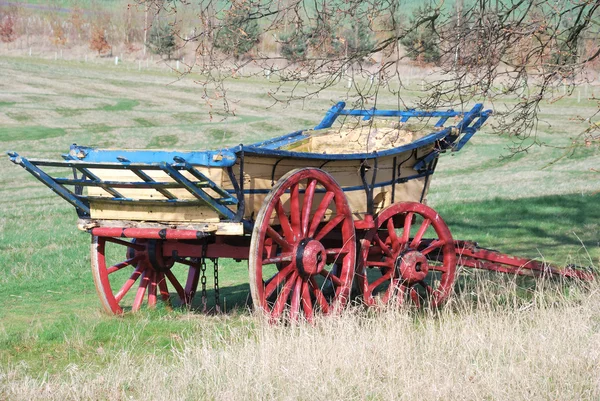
{"x":499,"y":337}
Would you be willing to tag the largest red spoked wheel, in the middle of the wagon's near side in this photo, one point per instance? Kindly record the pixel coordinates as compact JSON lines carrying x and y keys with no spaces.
{"x":303,"y":248}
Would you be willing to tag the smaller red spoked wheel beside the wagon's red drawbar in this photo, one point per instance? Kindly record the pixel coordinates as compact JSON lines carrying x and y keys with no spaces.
{"x":408,"y":255}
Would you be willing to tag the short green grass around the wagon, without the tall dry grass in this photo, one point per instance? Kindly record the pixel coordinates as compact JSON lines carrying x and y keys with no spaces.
{"x":50,"y":318}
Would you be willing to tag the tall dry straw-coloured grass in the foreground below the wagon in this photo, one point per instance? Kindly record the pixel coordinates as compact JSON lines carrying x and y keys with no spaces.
{"x":502,"y":347}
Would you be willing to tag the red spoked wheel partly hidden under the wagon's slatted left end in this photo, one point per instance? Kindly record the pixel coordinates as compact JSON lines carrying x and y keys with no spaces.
{"x":130,"y":274}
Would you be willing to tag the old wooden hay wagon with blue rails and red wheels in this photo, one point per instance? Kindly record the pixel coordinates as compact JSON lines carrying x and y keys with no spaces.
{"x":322,"y":215}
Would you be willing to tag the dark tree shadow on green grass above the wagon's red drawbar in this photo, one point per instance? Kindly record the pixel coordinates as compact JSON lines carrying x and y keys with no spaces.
{"x":560,"y":229}
